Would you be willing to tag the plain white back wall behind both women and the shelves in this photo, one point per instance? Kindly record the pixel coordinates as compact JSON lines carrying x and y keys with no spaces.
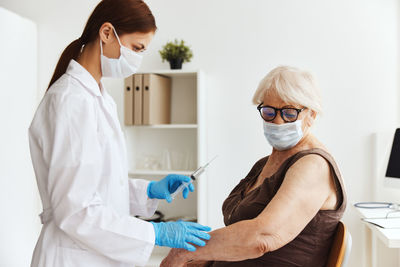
{"x":351,"y":46}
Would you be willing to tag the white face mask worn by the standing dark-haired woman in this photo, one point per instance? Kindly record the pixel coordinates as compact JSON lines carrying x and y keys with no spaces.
{"x":122,"y":67}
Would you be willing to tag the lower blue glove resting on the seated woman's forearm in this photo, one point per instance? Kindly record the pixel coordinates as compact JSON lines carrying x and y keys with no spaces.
{"x":180,"y":234}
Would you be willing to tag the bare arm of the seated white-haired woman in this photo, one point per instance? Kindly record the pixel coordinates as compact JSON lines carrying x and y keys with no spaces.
{"x":304,"y":191}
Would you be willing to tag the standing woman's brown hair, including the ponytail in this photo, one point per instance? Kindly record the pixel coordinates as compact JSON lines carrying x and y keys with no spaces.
{"x":127,"y":16}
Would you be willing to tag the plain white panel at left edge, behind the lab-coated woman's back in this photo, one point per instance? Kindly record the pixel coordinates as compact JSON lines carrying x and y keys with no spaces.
{"x":19,"y":207}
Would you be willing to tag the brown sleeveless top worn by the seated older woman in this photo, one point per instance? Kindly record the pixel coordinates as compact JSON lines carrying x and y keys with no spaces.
{"x":311,"y":247}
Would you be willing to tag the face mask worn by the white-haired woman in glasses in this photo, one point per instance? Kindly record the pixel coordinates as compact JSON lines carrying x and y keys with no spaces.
{"x":283,"y":136}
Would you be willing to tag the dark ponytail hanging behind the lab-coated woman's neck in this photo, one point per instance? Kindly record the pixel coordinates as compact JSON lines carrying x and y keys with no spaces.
{"x":71,"y":52}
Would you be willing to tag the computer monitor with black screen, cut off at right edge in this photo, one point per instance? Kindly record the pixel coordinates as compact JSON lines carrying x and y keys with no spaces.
{"x":392,"y":177}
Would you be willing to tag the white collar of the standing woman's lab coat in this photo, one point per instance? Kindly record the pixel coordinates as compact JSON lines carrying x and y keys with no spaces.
{"x":77,"y":71}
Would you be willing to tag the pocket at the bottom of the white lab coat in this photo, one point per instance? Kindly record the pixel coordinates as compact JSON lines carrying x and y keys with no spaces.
{"x":73,"y":257}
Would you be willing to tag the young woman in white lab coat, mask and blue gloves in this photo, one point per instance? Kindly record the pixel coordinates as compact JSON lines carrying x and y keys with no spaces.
{"x":79,"y":155}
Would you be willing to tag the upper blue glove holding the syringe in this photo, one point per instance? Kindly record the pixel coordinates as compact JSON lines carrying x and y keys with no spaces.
{"x":164,"y":188}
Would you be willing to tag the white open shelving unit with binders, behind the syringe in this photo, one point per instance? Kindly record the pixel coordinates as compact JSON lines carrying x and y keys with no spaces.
{"x":183,"y":141}
